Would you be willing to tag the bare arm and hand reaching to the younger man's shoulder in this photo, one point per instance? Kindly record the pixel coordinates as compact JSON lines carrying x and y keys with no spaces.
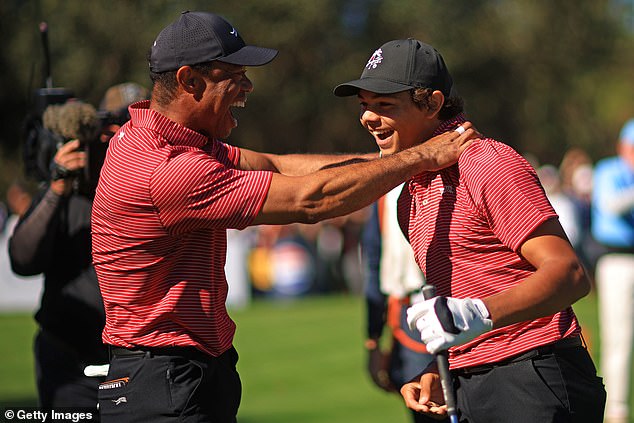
{"x":339,"y":190}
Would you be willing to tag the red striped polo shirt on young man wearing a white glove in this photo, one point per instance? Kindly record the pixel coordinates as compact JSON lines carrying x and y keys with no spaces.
{"x":466,"y":224}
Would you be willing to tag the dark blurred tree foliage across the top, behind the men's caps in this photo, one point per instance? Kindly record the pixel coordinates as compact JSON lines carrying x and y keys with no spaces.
{"x":540,"y":76}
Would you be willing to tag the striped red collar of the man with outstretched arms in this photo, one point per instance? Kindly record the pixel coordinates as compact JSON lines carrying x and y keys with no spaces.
{"x":141,"y":116}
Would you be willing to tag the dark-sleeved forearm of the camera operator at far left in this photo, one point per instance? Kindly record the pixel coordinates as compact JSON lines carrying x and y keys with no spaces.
{"x":32,"y":241}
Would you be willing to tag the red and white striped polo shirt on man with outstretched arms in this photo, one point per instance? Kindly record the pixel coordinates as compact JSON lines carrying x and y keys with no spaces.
{"x":165,"y":198}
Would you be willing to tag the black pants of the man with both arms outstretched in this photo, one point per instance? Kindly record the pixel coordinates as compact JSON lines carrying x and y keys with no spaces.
{"x":169,"y":385}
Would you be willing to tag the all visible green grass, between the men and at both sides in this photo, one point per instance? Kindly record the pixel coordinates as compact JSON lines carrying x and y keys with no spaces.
{"x":300,"y":360}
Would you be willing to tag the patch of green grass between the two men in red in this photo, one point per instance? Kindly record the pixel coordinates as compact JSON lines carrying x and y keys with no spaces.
{"x":304,"y":361}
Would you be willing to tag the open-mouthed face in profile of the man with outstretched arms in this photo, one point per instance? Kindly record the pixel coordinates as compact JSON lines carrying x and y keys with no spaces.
{"x":225,"y":86}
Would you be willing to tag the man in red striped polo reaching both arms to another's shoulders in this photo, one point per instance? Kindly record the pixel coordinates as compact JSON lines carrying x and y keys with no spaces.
{"x":169,"y":190}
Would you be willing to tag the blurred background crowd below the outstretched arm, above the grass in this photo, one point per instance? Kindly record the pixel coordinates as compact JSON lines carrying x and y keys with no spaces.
{"x":295,"y":260}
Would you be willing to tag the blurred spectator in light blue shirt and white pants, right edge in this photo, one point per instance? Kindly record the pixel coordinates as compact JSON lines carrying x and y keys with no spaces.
{"x":613,"y":228}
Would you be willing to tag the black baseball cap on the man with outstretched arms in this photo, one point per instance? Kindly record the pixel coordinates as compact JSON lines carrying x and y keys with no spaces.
{"x":200,"y":37}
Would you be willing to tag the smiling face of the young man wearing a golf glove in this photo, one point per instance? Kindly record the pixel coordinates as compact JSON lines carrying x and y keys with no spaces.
{"x":395,"y":121}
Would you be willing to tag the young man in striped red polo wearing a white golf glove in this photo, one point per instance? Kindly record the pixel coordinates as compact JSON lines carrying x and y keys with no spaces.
{"x":486,"y":237}
